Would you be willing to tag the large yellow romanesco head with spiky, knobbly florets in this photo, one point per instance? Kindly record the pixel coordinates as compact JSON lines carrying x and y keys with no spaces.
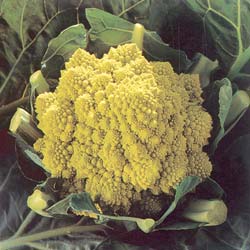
{"x":123,"y":126}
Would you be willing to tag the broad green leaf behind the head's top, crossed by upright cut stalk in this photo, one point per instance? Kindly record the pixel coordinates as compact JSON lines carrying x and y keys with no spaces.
{"x":108,"y":30}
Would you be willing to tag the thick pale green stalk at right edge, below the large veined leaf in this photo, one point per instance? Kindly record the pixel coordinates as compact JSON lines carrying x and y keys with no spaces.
{"x":239,"y":63}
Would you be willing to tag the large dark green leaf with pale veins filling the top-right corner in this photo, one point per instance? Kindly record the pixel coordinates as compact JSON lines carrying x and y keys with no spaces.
{"x":230,"y":19}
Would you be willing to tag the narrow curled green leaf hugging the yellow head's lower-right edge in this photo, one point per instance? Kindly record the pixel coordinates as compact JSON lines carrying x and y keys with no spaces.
{"x":186,"y":186}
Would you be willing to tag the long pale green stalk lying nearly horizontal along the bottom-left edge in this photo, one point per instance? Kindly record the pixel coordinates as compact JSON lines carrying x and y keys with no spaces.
{"x":24,"y":240}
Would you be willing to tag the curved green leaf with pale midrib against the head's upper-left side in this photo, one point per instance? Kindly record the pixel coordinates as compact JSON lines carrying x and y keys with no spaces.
{"x":61,"y":48}
